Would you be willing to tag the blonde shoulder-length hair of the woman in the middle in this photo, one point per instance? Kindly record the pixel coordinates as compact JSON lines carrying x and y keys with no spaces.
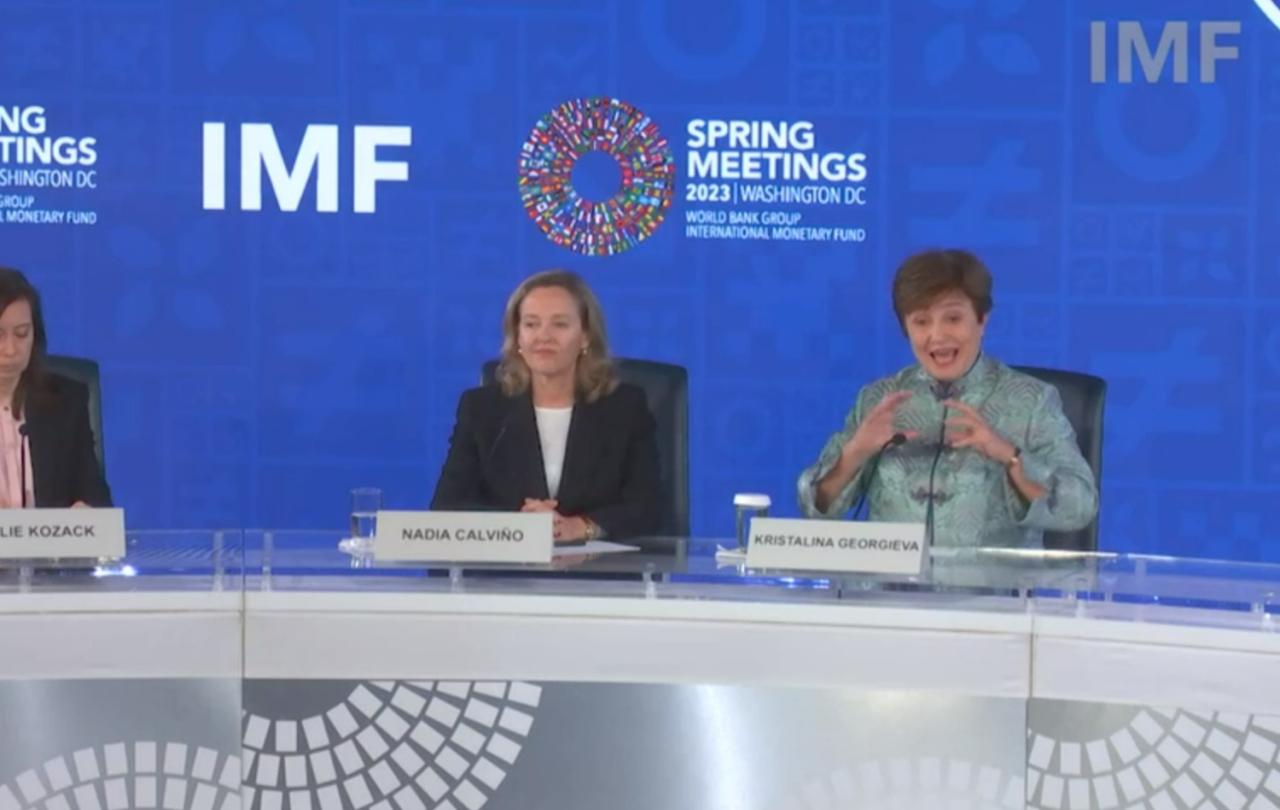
{"x":595,"y":376}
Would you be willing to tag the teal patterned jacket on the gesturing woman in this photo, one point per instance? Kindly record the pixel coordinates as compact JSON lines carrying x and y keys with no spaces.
{"x":975,"y":501}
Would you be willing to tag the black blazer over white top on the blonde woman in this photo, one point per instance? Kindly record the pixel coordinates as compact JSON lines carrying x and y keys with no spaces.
{"x":611,"y":460}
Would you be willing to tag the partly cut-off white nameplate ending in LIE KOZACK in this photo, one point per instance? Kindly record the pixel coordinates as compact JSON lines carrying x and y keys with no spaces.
{"x":62,"y":534}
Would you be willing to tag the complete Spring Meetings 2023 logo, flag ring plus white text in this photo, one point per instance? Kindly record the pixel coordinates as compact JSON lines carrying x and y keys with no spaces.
{"x":744,"y":179}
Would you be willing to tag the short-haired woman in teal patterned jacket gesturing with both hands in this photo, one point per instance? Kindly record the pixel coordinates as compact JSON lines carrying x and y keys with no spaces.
{"x":988,"y":446}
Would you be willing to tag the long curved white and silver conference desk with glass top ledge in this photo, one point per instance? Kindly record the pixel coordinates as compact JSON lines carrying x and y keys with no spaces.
{"x":656,"y":680}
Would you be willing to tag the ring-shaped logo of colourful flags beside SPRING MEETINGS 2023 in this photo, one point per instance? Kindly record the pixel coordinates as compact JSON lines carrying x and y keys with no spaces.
{"x":630,"y":138}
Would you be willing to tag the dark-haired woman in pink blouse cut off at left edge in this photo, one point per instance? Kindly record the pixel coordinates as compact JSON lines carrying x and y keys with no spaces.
{"x":47,"y":443}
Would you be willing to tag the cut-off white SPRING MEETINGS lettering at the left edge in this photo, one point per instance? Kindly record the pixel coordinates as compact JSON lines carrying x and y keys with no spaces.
{"x":44,"y":170}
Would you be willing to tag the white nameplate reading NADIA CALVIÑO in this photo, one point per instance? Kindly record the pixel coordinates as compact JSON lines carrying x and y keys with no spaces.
{"x":464,"y":537}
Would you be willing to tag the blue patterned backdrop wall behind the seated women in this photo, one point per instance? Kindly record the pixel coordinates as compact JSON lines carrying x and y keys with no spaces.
{"x":260,"y":364}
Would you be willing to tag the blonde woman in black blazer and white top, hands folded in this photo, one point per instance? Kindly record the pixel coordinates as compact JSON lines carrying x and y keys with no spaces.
{"x":559,"y":433}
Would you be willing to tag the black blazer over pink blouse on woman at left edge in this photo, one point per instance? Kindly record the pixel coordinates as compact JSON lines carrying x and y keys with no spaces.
{"x":63,"y":465}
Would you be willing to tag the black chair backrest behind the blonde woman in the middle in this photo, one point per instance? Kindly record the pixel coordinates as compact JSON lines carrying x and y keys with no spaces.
{"x":666,"y":387}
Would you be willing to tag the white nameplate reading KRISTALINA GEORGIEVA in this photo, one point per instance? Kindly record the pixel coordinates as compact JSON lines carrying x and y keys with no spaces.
{"x":860,"y":547}
